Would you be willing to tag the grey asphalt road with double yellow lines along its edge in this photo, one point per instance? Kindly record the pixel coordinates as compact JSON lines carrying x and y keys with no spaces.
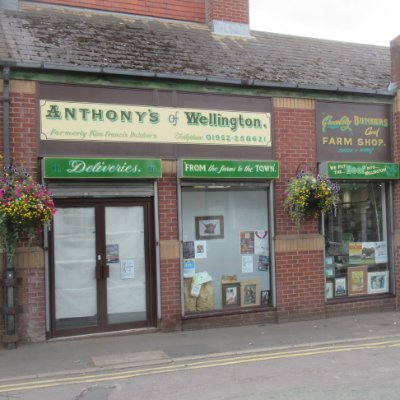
{"x":366,"y":369}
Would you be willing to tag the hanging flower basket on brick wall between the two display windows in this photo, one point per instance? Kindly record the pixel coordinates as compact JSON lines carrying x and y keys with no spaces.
{"x":308,"y":195}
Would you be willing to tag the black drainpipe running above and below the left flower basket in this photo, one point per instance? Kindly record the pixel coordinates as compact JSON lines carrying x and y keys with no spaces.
{"x":10,"y":337}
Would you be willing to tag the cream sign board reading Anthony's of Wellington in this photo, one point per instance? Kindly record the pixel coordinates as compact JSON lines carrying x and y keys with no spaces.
{"x":138,"y":124}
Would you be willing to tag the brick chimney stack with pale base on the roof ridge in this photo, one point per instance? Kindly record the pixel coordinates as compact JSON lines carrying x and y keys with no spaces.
{"x":228,"y":17}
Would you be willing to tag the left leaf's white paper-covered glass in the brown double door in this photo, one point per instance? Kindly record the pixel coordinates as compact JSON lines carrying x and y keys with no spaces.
{"x":75,"y":283}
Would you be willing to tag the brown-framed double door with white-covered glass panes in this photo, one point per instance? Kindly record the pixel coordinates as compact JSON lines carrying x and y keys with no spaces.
{"x":103,"y":274}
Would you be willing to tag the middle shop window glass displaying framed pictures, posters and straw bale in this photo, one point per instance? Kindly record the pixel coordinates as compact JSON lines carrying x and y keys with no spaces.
{"x":225,"y":247}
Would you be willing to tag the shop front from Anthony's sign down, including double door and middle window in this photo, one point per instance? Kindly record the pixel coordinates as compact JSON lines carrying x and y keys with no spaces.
{"x":163,"y":210}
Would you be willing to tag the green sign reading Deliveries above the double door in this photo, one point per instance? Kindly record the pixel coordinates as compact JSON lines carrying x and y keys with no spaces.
{"x":79,"y":168}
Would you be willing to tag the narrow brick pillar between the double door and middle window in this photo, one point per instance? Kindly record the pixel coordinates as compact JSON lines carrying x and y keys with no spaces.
{"x":169,"y":249}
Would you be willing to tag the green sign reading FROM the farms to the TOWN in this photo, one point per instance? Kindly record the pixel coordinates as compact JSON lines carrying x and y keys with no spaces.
{"x":228,"y":169}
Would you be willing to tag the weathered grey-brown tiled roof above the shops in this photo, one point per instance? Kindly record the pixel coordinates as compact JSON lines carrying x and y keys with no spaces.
{"x":69,"y":38}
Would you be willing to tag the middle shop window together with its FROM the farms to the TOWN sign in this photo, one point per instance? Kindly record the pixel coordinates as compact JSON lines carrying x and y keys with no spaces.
{"x":226,"y":230}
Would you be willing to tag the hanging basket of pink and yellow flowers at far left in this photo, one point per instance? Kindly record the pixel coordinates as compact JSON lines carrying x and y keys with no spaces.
{"x":25,"y":206}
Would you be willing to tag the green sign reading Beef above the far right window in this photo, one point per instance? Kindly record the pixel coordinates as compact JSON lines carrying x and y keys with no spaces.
{"x":345,"y":170}
